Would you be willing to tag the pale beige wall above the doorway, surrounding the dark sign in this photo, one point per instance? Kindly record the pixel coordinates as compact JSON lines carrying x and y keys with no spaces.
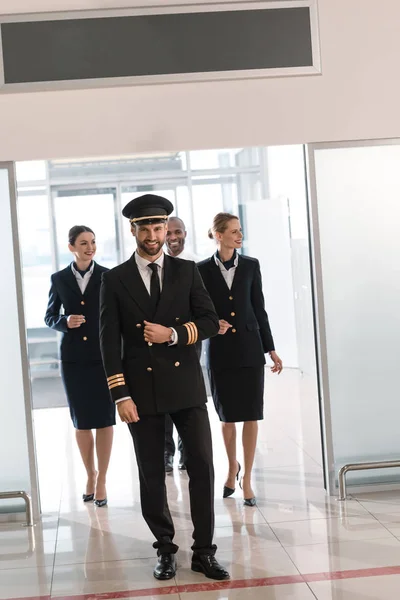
{"x":357,"y":96}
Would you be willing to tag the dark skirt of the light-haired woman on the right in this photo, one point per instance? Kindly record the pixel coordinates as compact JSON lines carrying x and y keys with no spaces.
{"x":238,"y":394}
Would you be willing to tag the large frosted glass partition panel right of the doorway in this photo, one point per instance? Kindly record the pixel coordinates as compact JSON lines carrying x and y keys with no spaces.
{"x":357,"y":199}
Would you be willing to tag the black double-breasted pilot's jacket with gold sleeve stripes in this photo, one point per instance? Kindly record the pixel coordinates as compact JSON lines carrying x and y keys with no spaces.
{"x":160,"y":378}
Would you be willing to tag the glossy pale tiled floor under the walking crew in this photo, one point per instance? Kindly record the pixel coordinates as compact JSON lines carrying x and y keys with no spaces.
{"x":298,"y":544}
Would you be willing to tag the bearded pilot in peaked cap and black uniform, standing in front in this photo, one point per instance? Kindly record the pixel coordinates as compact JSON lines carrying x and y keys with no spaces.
{"x":153,"y":310}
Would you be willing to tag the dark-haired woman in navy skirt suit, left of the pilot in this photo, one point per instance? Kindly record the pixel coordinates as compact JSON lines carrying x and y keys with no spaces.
{"x":77,"y":289}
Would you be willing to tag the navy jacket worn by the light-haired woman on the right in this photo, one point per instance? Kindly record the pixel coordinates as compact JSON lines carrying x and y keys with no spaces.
{"x":249,"y":338}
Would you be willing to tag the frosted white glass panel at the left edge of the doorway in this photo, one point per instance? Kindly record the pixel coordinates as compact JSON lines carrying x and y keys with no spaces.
{"x":17,"y":452}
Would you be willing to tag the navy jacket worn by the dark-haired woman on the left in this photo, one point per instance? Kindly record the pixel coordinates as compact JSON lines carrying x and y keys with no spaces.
{"x":80,"y":344}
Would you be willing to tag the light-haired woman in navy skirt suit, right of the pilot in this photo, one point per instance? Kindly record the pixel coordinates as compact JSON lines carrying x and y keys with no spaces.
{"x":236,"y":357}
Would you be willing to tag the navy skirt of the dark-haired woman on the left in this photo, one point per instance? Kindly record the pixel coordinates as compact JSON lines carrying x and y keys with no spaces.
{"x":88,"y":396}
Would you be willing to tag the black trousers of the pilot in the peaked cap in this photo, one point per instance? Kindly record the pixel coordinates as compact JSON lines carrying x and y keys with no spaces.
{"x":149,"y":438}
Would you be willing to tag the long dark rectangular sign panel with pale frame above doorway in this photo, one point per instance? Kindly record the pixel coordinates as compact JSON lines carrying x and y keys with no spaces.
{"x":173,"y":46}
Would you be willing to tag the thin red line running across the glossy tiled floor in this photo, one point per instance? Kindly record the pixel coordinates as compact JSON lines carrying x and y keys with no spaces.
{"x":210,"y":586}
